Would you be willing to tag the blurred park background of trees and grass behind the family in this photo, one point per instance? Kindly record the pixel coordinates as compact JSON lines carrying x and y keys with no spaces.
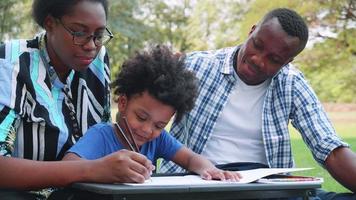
{"x":328,"y":62}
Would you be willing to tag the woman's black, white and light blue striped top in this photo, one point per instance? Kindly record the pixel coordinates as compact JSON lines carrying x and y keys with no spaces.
{"x":34,"y":116}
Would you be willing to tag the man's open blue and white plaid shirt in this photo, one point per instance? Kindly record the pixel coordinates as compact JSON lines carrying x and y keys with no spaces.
{"x":289,"y":97}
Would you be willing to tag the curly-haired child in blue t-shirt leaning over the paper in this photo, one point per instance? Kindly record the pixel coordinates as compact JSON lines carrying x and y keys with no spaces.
{"x":151,"y":88}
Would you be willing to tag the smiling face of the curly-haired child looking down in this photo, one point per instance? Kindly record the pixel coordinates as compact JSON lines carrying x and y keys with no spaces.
{"x":145,"y":115}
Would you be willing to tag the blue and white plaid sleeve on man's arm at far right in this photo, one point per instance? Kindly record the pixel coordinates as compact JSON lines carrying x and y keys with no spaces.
{"x":312,"y":122}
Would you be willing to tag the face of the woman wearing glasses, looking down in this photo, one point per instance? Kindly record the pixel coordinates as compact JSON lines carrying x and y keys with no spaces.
{"x":87,"y":17}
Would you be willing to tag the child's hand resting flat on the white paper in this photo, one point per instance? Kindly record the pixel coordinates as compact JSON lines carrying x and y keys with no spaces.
{"x":218,"y":174}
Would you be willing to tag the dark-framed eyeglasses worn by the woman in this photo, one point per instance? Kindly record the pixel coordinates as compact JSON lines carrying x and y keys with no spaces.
{"x":81,"y":38}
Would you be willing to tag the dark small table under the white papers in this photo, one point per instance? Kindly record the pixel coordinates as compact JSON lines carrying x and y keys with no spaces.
{"x":195,"y":192}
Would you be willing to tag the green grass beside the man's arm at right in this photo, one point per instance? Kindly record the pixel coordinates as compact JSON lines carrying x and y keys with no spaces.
{"x":345,"y":125}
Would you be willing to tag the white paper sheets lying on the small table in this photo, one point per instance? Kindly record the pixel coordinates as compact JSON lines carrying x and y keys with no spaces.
{"x":247,"y":177}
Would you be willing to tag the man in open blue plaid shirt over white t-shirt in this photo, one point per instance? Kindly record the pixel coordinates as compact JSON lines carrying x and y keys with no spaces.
{"x":247,"y":96}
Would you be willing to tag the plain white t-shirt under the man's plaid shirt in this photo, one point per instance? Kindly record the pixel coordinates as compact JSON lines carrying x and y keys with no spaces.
{"x":237,"y":135}
